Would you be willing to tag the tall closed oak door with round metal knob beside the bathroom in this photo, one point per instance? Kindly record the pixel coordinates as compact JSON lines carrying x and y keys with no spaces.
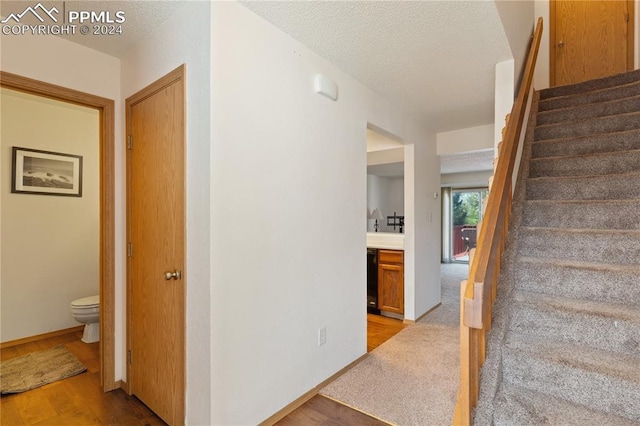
{"x":156,"y":224}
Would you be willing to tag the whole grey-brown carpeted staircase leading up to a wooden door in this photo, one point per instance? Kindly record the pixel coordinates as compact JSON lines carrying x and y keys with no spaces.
{"x":565,"y":347}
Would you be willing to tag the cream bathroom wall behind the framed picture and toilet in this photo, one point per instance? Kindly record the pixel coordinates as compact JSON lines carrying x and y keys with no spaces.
{"x":50,"y":244}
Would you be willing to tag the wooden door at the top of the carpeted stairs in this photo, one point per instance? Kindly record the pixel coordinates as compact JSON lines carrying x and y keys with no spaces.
{"x":590,"y":39}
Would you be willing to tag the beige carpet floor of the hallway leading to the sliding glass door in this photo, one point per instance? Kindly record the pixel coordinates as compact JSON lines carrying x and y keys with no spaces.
{"x":412,"y":379}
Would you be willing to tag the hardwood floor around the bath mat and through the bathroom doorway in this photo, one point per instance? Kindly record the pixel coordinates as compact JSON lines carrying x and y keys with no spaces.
{"x":77,"y":400}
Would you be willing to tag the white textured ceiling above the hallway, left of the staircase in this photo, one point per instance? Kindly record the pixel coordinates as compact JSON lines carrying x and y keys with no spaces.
{"x":435,"y":57}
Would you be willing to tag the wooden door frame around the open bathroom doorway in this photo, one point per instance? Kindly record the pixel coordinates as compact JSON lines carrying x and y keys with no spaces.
{"x":107,"y":206}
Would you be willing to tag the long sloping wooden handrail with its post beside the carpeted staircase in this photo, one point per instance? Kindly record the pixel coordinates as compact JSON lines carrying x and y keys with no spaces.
{"x":478,"y":293}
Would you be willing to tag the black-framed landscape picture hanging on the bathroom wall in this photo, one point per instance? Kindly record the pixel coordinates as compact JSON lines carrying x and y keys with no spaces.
{"x":45,"y":172}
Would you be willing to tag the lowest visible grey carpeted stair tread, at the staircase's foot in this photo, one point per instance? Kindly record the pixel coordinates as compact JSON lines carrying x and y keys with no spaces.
{"x":536,"y":408}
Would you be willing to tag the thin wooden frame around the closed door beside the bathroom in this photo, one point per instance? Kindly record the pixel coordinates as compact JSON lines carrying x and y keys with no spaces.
{"x":177,"y":74}
